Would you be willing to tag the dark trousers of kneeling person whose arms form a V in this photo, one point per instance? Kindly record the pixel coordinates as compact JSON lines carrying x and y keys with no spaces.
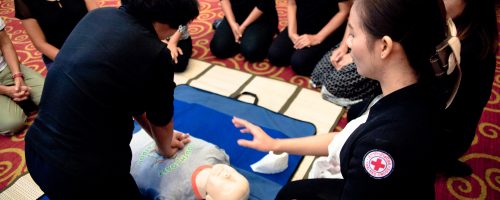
{"x":254,"y":44}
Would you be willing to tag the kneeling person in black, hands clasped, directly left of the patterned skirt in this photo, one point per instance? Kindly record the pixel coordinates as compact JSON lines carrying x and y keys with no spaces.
{"x":313,"y":28}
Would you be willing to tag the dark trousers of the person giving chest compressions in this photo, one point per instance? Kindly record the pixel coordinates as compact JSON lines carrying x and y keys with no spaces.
{"x":57,"y":184}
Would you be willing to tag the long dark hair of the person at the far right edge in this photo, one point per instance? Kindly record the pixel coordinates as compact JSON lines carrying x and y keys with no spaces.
{"x":479,"y":17}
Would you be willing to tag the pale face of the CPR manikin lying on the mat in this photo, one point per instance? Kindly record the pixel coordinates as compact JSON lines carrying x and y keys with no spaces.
{"x":225,"y":183}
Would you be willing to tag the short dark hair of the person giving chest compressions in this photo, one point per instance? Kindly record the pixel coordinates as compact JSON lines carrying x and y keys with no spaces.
{"x":171,"y":12}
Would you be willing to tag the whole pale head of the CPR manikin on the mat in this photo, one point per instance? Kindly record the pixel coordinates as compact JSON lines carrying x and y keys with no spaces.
{"x":219,"y":182}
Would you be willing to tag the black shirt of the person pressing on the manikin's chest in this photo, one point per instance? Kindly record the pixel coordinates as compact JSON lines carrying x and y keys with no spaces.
{"x":111,"y":67}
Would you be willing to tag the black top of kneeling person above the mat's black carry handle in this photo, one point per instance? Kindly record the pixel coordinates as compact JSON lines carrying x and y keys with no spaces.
{"x":243,"y":8}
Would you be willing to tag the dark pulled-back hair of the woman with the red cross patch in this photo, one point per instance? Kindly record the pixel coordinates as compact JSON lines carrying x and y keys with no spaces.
{"x":418,"y":25}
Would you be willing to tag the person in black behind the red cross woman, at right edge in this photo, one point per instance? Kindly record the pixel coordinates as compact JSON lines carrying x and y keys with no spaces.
{"x":478,"y":33}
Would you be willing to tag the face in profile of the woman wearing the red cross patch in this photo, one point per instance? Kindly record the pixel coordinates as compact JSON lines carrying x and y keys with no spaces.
{"x":358,"y":42}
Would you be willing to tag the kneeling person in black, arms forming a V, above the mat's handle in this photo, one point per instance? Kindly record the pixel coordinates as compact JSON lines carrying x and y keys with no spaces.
{"x":248,"y":27}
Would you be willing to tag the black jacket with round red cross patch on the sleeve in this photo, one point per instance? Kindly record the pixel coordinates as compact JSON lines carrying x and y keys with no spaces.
{"x":390,"y":156}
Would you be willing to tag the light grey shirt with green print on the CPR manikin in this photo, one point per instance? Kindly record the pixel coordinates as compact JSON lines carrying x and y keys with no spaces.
{"x":162,"y":178}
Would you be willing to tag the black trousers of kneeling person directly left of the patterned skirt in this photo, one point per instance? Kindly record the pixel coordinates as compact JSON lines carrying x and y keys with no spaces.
{"x":302,"y":60}
